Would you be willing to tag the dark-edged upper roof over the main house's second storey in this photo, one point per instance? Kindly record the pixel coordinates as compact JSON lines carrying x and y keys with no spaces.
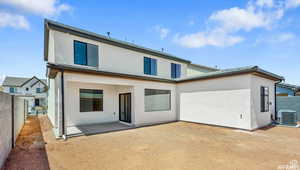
{"x":49,"y":24}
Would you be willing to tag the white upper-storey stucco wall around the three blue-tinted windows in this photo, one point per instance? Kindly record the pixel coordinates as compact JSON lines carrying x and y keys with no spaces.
{"x":111,"y":58}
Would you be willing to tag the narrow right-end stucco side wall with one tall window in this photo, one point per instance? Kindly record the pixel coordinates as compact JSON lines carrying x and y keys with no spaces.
{"x":261,"y":119}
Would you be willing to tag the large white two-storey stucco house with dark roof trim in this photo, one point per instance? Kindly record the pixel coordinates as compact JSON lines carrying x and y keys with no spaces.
{"x":96,"y":79}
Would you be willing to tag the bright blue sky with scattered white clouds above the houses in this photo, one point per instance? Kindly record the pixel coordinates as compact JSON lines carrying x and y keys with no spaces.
{"x":223,"y":34}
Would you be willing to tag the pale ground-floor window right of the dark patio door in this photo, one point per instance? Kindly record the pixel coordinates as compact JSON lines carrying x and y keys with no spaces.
{"x":157,"y":100}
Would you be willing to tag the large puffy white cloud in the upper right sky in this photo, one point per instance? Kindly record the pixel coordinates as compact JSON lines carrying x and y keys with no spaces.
{"x":225,"y":24}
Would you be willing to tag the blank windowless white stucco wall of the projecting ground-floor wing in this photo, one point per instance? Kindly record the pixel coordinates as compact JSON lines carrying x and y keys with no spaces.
{"x":222,"y":101}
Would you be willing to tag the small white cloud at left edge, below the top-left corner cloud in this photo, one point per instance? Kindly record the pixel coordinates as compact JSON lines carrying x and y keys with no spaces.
{"x":12,"y":20}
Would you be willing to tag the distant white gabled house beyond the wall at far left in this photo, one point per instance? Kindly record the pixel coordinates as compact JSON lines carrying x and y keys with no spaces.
{"x":34,"y":89}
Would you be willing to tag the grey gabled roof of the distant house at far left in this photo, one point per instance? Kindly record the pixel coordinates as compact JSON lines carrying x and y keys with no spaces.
{"x":19,"y":81}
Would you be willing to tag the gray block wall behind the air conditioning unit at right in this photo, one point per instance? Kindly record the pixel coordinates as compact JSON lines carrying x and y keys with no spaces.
{"x":290,"y":103}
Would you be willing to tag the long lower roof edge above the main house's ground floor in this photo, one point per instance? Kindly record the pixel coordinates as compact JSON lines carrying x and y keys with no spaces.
{"x":210,"y":75}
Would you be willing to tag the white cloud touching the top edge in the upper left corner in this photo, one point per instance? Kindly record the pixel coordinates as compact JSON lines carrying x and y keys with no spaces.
{"x":39,"y":7}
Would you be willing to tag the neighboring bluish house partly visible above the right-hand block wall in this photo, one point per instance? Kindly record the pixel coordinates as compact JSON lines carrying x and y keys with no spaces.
{"x":283,"y":89}
